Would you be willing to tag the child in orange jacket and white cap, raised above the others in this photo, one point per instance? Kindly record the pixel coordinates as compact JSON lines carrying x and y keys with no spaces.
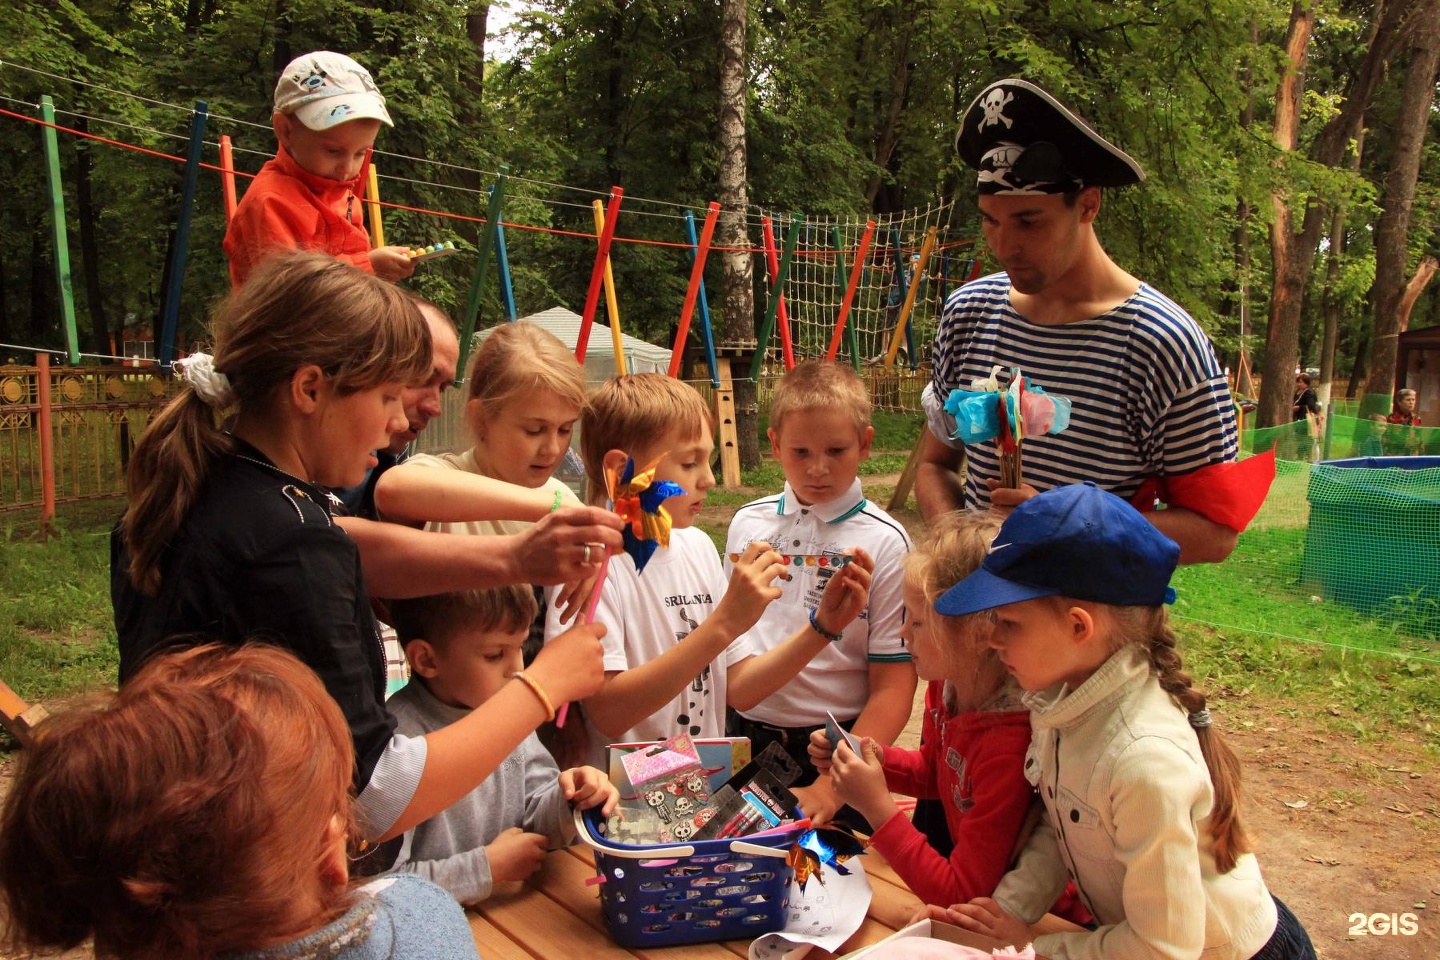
{"x":328,"y":114}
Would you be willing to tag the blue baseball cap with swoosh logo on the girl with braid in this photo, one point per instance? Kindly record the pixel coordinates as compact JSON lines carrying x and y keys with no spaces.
{"x":1075,"y":542}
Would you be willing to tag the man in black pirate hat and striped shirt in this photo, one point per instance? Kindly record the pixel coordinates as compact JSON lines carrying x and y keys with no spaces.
{"x":1153,"y":418}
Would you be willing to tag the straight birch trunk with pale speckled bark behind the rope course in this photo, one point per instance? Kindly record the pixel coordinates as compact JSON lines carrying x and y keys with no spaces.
{"x":738,"y":287}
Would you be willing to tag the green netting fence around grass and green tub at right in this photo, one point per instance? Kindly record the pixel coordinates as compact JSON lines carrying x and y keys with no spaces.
{"x":1347,"y":548}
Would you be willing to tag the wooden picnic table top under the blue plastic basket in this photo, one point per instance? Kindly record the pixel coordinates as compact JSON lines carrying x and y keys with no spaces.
{"x":555,"y":916}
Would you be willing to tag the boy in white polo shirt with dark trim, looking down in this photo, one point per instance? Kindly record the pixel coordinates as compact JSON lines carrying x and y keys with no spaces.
{"x":820,"y":433}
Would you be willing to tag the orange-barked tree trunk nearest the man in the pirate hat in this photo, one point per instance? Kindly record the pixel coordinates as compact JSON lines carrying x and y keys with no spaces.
{"x":1288,"y":280}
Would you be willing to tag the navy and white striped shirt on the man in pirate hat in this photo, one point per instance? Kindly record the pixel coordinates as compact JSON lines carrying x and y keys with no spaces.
{"x":1147,"y":391}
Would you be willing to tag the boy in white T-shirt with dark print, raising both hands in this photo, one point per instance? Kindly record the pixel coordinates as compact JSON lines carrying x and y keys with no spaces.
{"x":675,"y":654}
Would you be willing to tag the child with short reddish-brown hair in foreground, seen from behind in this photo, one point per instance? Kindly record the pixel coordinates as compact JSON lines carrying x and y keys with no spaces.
{"x":204,"y":811}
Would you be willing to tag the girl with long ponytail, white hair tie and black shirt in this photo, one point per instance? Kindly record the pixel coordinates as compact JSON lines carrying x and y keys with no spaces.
{"x":228,"y":533}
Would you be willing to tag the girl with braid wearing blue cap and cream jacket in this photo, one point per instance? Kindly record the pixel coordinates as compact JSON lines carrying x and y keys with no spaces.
{"x":1141,"y":792}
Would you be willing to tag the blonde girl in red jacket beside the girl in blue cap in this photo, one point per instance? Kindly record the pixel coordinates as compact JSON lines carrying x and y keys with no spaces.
{"x":976,"y":735}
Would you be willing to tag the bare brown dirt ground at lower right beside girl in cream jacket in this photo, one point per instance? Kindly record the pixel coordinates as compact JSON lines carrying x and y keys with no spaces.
{"x":1347,"y":833}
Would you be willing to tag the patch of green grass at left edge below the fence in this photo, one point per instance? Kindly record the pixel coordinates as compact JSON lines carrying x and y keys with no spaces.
{"x":57,"y":634}
